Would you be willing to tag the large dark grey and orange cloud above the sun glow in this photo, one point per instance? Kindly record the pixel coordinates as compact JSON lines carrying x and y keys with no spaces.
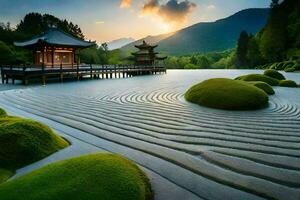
{"x":173,"y":11}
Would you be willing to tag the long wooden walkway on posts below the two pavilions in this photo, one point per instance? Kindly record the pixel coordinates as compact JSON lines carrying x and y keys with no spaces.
{"x":27,"y":73}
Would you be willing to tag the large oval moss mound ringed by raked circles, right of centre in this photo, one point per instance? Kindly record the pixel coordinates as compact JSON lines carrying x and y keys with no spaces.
{"x":227,"y":94}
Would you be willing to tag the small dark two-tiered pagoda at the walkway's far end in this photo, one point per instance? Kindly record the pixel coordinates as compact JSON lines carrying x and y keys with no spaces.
{"x":146,"y":54}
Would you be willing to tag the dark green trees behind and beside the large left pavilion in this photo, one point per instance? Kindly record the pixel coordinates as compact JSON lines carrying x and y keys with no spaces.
{"x":34,"y":24}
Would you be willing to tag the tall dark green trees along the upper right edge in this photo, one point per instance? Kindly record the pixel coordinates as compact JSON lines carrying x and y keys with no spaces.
{"x":280,"y":38}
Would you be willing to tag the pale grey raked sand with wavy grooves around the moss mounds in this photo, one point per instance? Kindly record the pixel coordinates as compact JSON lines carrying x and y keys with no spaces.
{"x":189,"y":152}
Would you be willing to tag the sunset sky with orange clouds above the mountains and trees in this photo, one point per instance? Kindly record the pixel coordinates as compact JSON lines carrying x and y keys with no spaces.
{"x":107,"y":20}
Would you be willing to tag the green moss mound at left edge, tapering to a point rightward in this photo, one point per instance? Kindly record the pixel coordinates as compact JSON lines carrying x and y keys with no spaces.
{"x":25,"y":141}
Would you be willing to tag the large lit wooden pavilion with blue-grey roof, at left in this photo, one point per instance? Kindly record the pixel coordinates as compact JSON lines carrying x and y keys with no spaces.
{"x":55,"y":48}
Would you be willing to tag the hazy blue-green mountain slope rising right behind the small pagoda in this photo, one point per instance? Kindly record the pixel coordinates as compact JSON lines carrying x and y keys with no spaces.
{"x":215,"y":36}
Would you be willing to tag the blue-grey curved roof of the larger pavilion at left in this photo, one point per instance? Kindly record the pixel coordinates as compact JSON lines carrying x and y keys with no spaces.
{"x":55,"y":37}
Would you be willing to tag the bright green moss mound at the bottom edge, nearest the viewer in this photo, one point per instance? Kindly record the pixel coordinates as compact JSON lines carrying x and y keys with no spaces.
{"x":97,"y":176}
